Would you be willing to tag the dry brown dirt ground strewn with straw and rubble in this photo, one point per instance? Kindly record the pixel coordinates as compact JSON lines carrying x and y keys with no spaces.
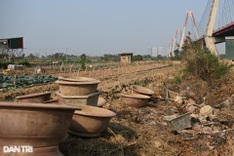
{"x":144,"y":131}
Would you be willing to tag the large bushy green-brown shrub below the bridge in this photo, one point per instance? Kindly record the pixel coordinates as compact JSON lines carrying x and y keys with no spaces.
{"x":201,"y":63}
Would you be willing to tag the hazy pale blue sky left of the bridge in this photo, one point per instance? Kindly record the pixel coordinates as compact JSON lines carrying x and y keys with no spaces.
{"x":95,"y":27}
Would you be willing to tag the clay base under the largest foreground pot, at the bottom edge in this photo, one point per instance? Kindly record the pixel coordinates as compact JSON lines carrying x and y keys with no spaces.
{"x":39,"y":151}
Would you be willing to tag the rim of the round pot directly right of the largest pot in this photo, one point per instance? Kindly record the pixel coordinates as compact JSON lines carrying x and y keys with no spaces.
{"x":109,"y":113}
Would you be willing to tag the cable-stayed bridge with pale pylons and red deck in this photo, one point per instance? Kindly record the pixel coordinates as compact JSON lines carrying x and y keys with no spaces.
{"x":216,"y":26}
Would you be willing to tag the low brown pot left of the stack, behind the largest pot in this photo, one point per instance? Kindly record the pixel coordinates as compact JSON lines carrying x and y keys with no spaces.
{"x":34,"y":98}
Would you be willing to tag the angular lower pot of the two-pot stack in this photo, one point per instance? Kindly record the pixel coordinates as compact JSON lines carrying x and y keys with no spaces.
{"x":90,"y":99}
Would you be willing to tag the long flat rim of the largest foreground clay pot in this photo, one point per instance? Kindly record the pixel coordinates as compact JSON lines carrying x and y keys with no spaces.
{"x":35,"y":105}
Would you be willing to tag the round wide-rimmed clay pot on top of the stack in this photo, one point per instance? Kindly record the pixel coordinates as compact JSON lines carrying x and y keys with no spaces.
{"x":70,"y":88}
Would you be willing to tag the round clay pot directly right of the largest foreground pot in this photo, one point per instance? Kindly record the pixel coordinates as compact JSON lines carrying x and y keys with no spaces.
{"x":90,"y":121}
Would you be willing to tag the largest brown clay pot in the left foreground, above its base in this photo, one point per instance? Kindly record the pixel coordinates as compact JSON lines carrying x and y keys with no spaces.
{"x":35,"y":124}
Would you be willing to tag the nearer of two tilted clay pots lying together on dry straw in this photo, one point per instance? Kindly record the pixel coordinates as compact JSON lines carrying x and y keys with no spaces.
{"x":135,"y":100}
